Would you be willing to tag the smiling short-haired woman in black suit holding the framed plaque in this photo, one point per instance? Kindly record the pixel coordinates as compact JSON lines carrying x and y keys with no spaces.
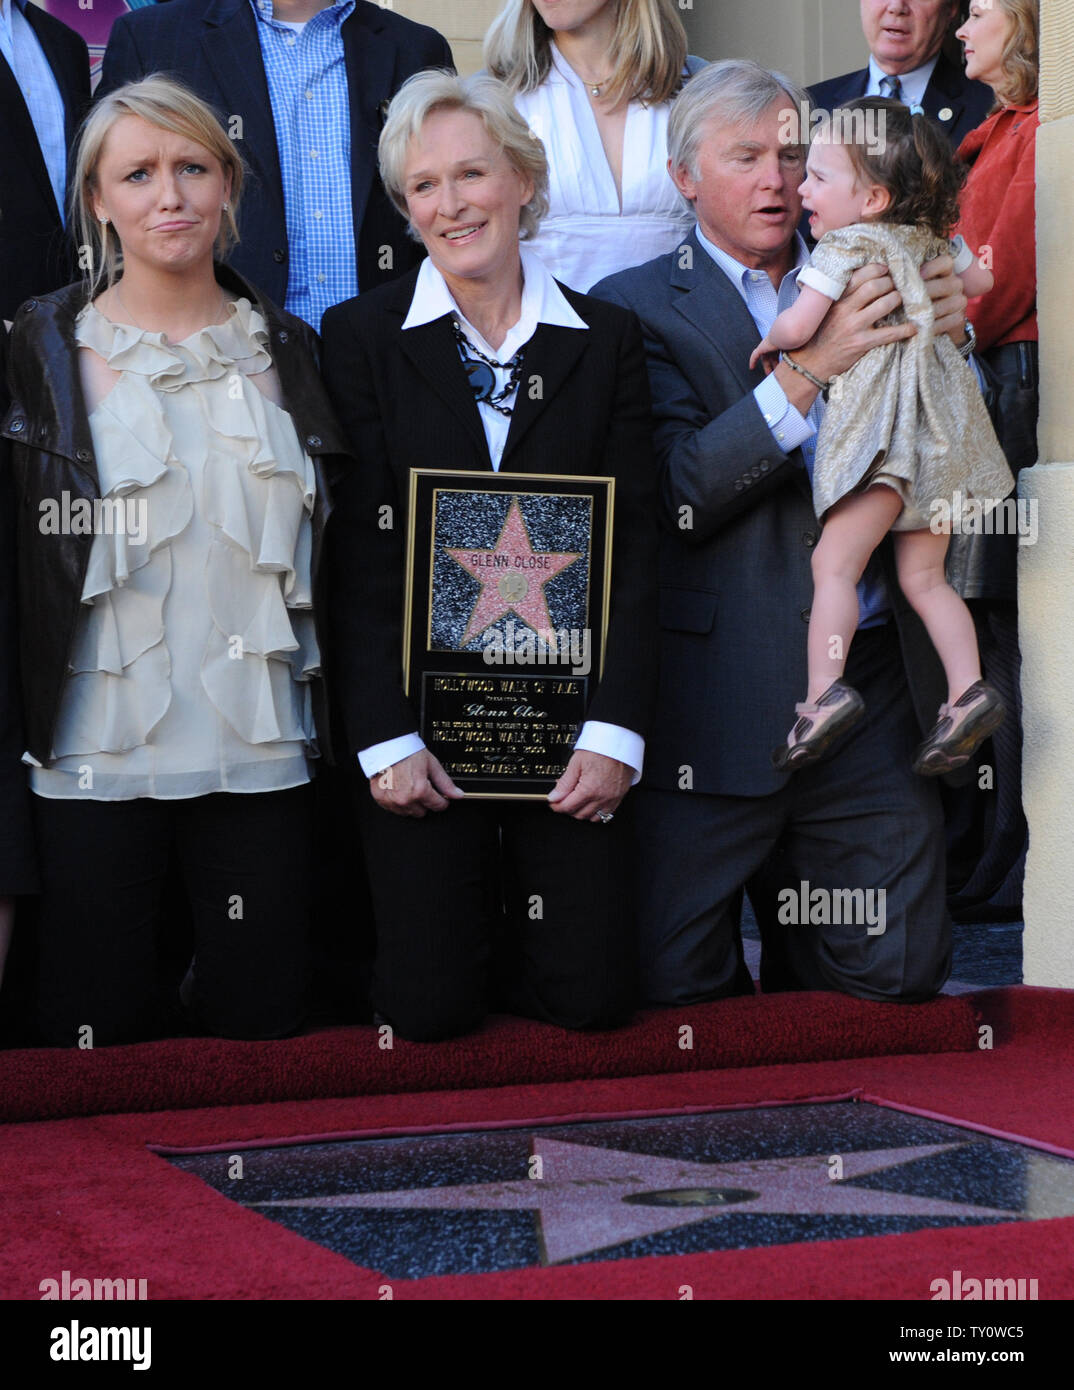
{"x":540,"y":889}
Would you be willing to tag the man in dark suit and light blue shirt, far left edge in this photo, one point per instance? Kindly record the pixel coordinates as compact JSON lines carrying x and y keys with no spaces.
{"x":44,"y":95}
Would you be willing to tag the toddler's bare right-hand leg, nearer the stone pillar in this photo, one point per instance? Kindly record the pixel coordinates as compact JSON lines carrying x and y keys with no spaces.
{"x":919,"y":558}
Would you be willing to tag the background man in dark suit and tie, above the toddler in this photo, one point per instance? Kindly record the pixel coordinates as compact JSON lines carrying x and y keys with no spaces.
{"x":907,"y":62}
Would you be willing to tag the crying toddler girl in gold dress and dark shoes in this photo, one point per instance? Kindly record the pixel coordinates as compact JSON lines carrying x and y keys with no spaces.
{"x":905,"y":437}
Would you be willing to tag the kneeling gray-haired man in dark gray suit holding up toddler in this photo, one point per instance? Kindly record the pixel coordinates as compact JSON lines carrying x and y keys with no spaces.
{"x":845,"y":860}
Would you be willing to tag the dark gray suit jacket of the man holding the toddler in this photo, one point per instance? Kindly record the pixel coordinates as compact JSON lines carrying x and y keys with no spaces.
{"x":737,"y":534}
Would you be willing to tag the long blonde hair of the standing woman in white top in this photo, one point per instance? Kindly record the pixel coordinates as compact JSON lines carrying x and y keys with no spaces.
{"x":647,"y":55}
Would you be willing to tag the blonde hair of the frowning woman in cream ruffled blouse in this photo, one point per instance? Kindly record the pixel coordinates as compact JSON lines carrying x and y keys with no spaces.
{"x":170,"y":106}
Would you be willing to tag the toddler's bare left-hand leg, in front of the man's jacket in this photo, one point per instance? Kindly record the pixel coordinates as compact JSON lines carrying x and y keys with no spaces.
{"x":852,"y":532}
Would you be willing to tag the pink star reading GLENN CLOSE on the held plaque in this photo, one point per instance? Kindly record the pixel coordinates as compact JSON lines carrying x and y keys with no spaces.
{"x":512,"y":578}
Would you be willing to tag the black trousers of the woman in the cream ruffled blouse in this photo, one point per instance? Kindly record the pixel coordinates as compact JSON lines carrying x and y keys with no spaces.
{"x":247,"y":867}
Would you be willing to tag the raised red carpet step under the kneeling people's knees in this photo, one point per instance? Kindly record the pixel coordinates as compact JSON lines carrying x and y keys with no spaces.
{"x":41,"y":1084}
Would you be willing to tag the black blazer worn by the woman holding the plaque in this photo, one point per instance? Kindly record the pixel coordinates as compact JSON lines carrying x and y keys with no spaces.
{"x":405,"y":402}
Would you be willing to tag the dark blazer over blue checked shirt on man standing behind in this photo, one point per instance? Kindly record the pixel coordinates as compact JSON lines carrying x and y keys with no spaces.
{"x":213,"y":47}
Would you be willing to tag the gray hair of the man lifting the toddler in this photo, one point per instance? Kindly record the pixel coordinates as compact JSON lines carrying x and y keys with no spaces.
{"x":736,"y":92}
